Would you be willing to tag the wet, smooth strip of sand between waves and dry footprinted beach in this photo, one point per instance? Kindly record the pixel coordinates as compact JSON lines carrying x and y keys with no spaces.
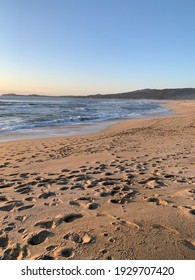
{"x":84,"y":129}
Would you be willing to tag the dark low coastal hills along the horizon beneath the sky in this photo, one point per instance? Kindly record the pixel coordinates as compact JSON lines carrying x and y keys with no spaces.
{"x":155,"y":94}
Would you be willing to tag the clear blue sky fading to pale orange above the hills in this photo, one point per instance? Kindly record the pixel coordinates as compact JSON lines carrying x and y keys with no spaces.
{"x":80,"y":47}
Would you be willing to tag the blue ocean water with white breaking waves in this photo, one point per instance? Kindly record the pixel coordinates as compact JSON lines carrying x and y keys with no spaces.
{"x":28,"y":114}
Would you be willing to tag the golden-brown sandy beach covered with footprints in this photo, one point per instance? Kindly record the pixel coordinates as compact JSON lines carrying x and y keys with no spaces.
{"x":126,"y":192}
